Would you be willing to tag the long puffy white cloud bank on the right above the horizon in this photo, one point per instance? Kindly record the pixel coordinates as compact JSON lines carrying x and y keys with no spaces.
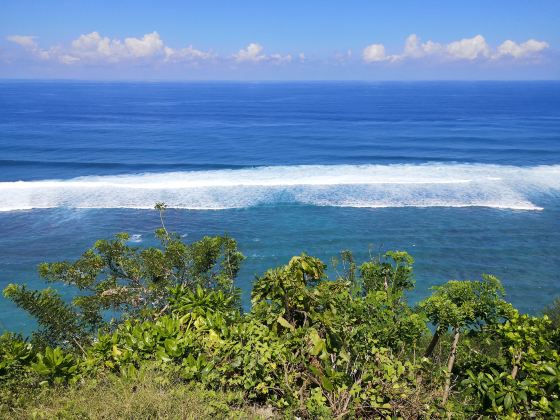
{"x":466,"y":49}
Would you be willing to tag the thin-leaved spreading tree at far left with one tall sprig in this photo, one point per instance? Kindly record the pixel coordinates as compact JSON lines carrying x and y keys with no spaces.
{"x":116,"y":278}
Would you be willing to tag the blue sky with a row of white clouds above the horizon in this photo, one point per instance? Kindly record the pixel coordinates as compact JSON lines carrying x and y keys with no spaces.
{"x":280,"y":40}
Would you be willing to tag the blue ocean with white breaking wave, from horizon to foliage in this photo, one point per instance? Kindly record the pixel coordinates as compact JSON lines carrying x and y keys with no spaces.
{"x":463,"y":175}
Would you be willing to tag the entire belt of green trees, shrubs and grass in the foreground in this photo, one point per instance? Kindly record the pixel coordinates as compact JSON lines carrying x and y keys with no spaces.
{"x":159,"y":332}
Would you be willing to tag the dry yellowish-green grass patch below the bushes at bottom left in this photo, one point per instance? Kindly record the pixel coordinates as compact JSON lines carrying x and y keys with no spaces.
{"x":151,"y":396}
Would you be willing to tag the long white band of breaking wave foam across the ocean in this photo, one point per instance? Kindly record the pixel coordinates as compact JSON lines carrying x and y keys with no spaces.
{"x":399,"y":185}
